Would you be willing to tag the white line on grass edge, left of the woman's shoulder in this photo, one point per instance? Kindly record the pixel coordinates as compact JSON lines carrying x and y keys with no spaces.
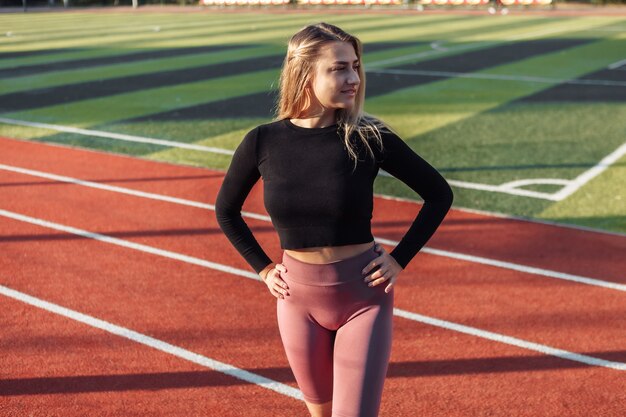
{"x":116,"y":136}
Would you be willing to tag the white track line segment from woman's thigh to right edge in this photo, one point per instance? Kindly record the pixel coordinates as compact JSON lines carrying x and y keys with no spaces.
{"x":496,"y":337}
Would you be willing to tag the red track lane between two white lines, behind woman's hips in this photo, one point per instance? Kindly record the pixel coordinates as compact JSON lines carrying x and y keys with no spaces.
{"x":458,"y":291}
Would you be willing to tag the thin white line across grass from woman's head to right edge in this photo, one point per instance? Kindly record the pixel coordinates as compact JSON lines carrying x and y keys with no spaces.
{"x":500,"y":77}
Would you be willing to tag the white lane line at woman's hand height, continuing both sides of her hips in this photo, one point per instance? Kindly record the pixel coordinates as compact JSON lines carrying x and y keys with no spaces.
{"x":589,"y":360}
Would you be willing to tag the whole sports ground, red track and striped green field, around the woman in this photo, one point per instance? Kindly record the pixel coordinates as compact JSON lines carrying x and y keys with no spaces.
{"x":120,"y":296}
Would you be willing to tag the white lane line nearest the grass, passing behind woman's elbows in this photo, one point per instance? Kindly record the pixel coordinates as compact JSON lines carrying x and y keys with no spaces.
{"x":437,"y":252}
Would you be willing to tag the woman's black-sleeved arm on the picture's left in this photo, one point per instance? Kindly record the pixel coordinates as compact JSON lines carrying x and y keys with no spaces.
{"x":241,"y":176}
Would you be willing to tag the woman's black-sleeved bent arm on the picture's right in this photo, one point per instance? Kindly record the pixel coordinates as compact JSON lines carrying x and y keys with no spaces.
{"x":403,"y":163}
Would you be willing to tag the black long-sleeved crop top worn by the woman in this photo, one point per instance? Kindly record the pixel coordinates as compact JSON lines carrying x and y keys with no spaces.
{"x":312,"y":194}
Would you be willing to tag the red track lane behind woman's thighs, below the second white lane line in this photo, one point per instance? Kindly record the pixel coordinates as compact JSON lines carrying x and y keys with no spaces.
{"x":433,"y":370}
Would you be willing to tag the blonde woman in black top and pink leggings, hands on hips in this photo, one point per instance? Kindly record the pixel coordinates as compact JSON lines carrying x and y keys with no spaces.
{"x":318,"y":161}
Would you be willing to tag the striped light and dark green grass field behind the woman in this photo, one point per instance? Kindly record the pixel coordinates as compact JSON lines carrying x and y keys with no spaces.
{"x":488,"y":100}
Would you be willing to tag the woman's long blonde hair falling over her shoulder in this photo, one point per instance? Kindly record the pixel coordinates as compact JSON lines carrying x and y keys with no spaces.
{"x":303,"y":51}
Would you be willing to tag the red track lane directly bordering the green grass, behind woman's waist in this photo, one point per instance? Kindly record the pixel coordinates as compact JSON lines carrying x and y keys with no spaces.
{"x":533,"y":244}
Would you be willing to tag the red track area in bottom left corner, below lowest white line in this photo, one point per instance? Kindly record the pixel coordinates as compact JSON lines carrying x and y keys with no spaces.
{"x":55,"y":366}
